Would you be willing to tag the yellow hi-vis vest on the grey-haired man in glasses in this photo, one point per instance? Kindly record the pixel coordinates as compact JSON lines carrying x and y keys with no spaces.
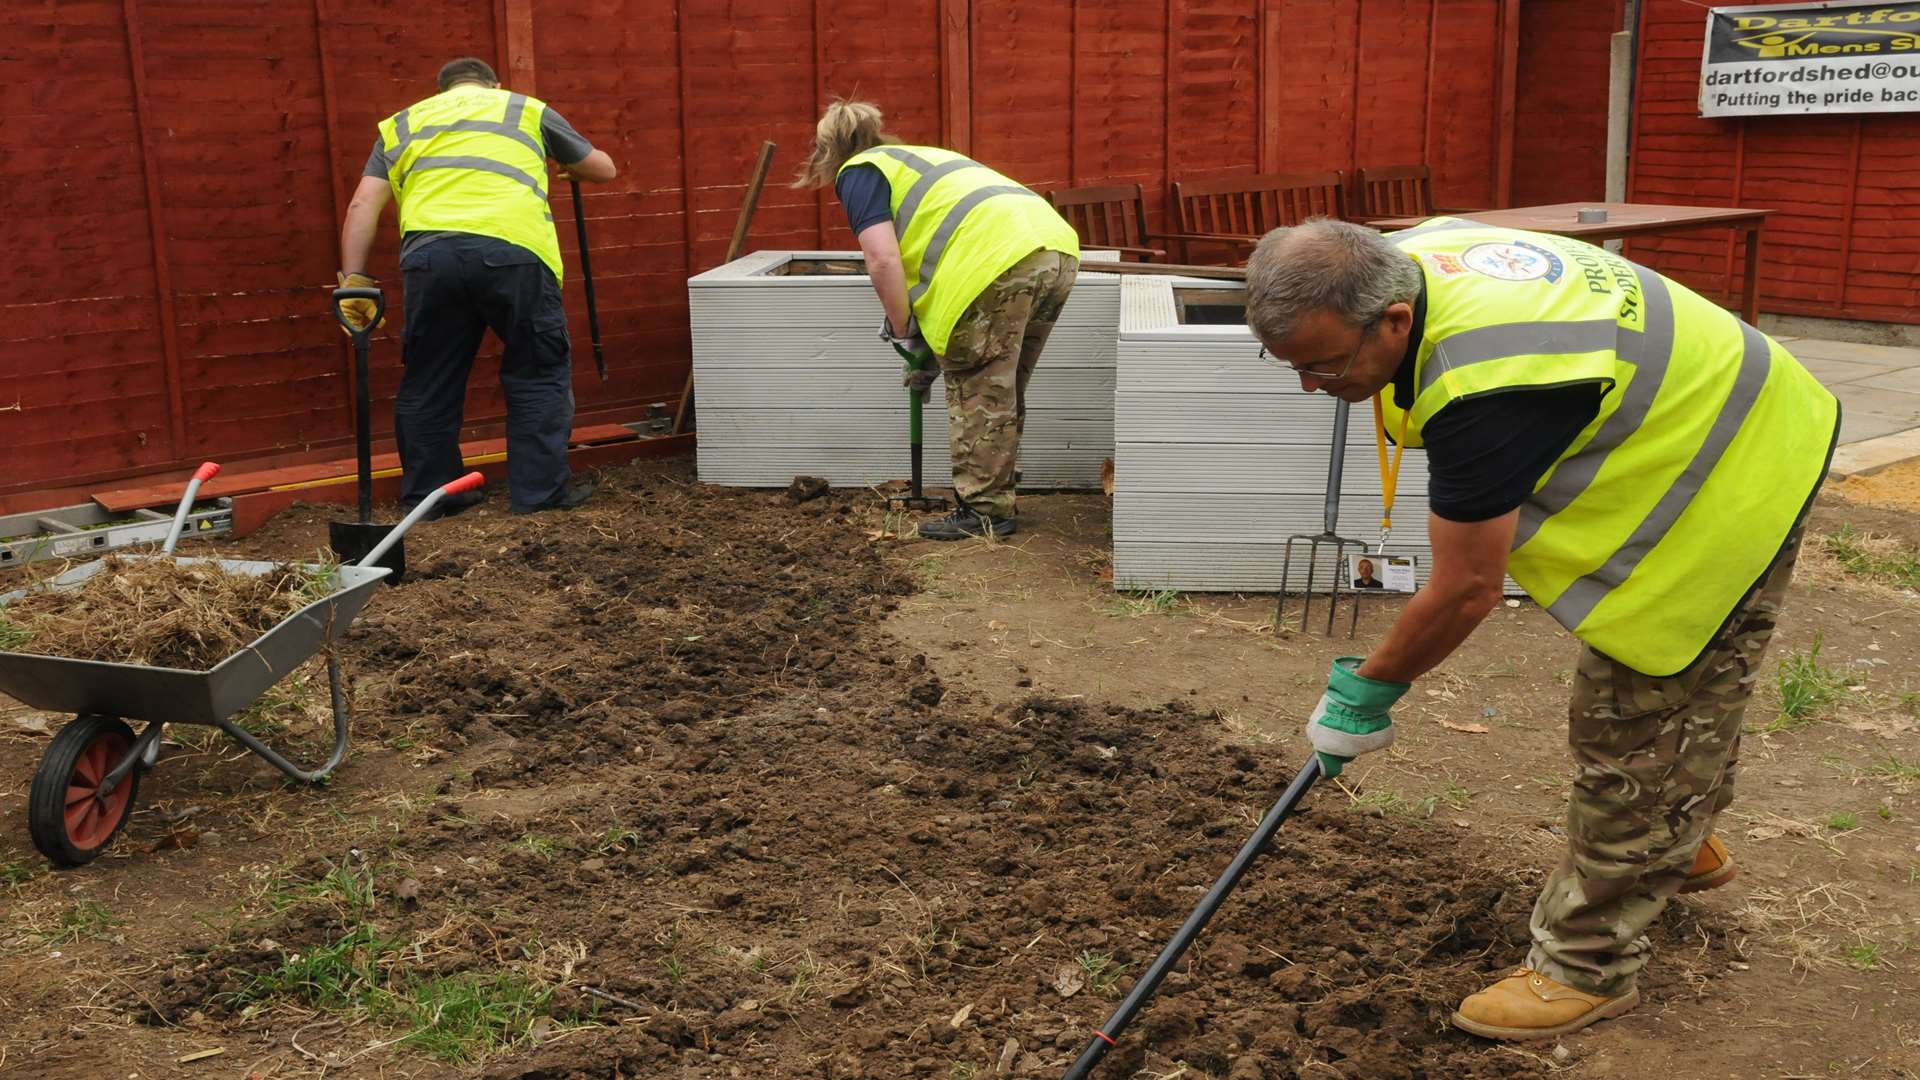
{"x":1710,"y":441}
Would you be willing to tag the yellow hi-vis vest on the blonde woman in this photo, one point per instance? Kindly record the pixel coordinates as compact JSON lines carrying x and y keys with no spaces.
{"x":961,"y":226}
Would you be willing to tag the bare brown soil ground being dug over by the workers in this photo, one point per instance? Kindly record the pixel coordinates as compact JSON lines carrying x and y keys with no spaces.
{"x":817,"y":802}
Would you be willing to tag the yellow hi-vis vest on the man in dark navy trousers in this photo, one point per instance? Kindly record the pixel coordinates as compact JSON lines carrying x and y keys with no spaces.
{"x":473,"y":160}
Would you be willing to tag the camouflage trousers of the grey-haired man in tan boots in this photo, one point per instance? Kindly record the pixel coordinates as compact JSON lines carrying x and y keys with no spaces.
{"x":1656,"y":766}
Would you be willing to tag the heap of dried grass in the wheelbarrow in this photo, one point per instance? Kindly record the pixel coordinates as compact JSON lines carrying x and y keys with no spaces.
{"x":160,"y":612}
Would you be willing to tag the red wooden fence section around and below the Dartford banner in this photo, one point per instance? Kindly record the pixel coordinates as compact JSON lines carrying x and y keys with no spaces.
{"x":1846,"y":189}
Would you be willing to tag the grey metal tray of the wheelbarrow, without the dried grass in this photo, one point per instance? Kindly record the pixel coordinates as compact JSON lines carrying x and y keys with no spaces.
{"x":180,"y":697}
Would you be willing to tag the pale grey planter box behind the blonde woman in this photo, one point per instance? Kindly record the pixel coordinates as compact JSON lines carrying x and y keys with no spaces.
{"x":792,"y":380}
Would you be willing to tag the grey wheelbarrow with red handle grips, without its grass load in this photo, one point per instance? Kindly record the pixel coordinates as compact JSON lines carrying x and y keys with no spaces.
{"x":91,"y":772}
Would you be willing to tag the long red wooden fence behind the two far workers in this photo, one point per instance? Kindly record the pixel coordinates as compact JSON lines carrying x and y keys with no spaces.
{"x":172,"y":172}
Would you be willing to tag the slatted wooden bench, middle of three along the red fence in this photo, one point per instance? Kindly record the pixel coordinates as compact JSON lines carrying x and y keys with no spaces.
{"x":1236,"y":212}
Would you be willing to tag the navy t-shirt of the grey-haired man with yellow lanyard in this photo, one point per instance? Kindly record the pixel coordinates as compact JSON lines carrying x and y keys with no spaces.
{"x":1487,"y":454}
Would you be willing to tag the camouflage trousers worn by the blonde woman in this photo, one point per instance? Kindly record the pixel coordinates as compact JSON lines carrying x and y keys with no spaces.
{"x":988,"y":364}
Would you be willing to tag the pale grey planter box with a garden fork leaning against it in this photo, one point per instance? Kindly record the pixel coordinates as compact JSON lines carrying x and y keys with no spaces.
{"x":1220,"y":456}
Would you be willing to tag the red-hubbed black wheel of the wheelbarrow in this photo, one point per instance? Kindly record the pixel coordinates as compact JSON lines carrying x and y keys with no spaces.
{"x":68,"y":818}
